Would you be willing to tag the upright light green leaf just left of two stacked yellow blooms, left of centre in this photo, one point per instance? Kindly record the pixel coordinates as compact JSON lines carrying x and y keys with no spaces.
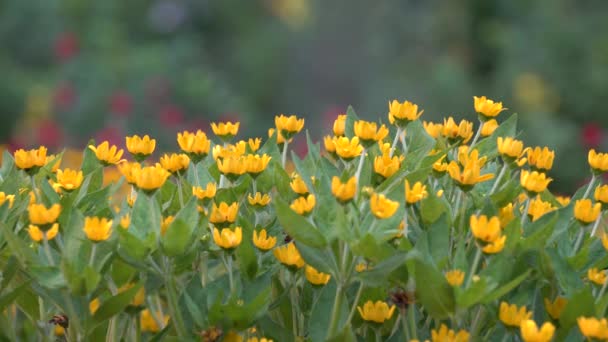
{"x":178,"y":237}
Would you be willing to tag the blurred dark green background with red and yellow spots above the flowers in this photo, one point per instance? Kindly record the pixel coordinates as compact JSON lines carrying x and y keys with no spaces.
{"x":75,"y":69}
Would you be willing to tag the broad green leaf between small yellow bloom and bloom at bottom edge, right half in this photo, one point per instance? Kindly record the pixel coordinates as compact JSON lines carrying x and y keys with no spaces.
{"x":432,"y":290}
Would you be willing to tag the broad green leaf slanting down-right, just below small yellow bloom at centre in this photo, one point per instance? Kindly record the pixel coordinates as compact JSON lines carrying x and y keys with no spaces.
{"x":298,"y":226}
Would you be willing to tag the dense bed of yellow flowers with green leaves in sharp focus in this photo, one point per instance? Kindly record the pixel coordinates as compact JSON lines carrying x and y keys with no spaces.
{"x":410,"y":231}
